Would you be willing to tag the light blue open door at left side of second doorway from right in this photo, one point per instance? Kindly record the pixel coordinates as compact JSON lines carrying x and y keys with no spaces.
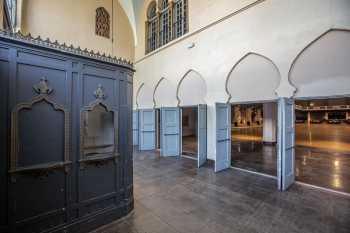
{"x":223,"y":136}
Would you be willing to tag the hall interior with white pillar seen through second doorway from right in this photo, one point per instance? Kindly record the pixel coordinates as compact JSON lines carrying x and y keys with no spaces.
{"x":254,"y":137}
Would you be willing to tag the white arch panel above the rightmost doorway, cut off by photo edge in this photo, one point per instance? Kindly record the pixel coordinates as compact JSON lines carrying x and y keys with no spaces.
{"x":322,"y":68}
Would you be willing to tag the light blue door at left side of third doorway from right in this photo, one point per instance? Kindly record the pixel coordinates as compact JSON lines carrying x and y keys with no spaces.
{"x":170,"y":132}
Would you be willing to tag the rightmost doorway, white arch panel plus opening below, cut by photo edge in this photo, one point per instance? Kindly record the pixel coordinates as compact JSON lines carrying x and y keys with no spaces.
{"x":321,"y":75}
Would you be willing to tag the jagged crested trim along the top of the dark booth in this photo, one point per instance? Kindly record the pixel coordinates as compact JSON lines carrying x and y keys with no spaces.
{"x":64,"y":48}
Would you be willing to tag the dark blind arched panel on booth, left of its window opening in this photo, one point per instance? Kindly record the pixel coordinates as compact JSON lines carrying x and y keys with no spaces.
{"x":44,"y":142}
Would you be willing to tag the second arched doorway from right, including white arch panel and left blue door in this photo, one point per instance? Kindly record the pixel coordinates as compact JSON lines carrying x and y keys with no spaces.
{"x":248,"y":124}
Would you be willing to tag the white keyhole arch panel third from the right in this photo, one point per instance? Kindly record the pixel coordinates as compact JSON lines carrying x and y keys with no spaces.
{"x":192,"y":89}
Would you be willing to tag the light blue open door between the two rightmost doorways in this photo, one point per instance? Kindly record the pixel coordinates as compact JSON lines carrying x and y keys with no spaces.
{"x":286,"y":142}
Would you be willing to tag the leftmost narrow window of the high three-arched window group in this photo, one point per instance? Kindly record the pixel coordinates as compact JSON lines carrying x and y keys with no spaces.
{"x":152,"y":27}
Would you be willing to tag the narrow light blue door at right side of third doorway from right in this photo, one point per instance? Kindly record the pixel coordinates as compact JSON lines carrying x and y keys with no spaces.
{"x":202,"y":134}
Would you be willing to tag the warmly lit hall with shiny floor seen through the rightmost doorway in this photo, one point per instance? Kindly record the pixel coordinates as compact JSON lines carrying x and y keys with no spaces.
{"x":323,"y":143}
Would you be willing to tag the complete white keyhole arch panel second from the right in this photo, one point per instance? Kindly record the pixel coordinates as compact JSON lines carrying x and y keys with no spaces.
{"x":254,"y":77}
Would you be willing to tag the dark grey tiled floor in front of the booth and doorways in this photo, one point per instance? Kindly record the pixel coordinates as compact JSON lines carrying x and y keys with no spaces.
{"x":173,"y":196}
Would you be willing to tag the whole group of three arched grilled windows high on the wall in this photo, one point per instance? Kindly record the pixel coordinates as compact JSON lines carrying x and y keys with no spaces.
{"x":170,"y":22}
